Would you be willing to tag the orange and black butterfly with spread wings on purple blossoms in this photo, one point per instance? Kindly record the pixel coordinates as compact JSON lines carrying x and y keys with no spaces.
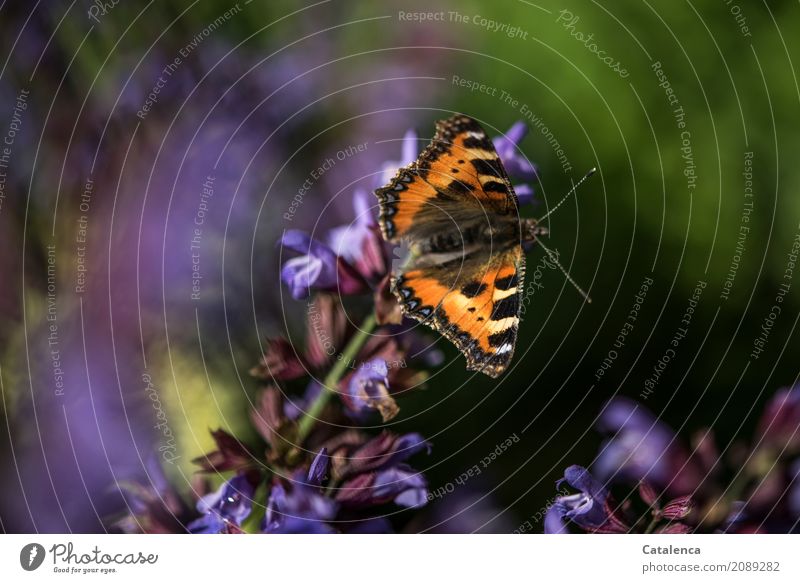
{"x":457,"y":210}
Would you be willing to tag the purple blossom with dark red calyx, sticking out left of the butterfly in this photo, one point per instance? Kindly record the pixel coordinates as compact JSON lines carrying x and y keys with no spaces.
{"x":318,"y":268}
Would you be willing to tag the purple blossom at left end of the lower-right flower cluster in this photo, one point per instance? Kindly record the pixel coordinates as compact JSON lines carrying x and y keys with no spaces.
{"x":587,"y":508}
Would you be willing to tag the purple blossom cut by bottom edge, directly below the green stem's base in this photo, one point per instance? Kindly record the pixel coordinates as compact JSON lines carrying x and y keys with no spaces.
{"x":301,"y":510}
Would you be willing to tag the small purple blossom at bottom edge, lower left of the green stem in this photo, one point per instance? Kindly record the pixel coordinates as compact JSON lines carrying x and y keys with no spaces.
{"x":225,"y":510}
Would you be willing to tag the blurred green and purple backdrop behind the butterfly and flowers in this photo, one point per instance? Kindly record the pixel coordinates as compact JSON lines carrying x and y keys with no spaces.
{"x":275,"y":88}
